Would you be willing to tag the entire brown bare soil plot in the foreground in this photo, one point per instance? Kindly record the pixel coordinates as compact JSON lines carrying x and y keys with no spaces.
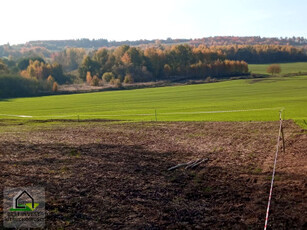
{"x":106,"y":175}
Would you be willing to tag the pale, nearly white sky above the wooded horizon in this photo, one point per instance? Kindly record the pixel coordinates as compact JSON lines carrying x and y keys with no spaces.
{"x":120,"y":20}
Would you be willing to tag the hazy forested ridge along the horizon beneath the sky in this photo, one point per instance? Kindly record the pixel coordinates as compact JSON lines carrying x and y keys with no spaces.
{"x":56,"y":45}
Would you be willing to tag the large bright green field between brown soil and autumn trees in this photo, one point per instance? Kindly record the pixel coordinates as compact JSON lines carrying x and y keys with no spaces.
{"x":262,"y":98}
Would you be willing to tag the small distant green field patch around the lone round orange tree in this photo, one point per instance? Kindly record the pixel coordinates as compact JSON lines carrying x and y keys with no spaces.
{"x":285,"y":68}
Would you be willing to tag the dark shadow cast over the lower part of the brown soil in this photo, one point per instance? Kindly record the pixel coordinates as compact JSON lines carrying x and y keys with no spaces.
{"x":105,"y":186}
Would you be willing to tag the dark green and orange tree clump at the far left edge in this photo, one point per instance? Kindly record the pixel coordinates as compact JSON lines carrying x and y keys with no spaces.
{"x":30,"y":77}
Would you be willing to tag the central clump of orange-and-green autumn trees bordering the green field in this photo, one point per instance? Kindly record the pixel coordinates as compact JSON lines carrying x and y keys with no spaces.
{"x":160,"y":63}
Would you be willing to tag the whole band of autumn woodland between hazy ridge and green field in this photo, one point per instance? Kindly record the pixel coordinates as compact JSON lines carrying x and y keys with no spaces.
{"x":129,"y":64}
